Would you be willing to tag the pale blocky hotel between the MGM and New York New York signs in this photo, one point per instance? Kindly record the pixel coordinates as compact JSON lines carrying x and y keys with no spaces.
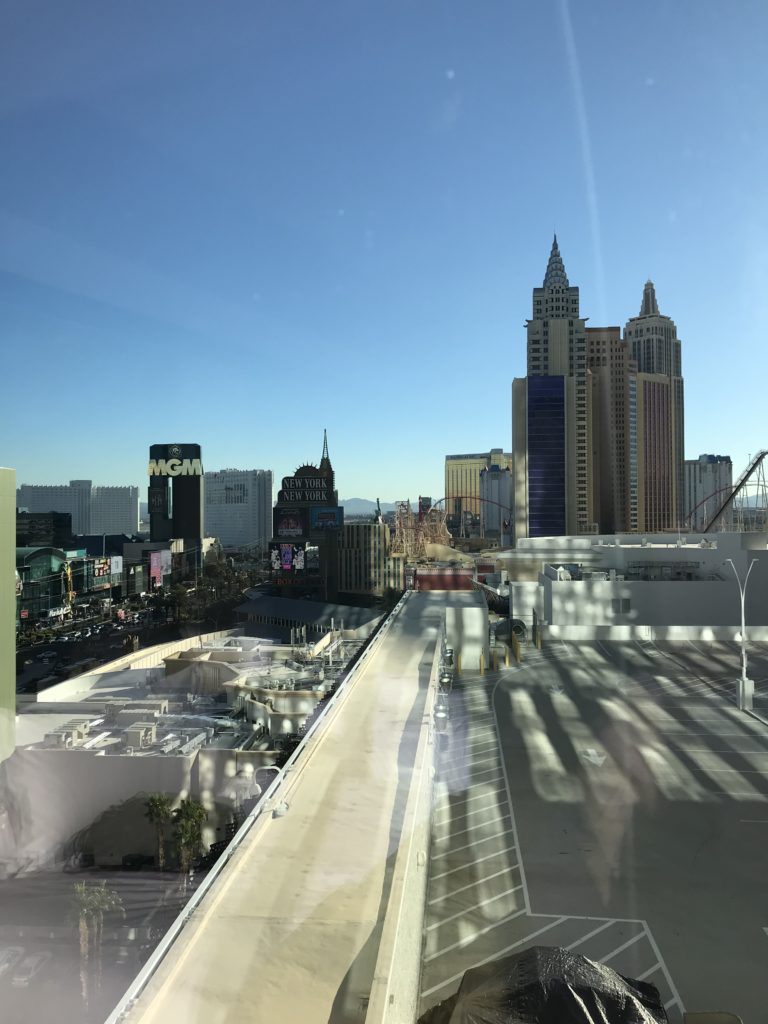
{"x":239,"y":507}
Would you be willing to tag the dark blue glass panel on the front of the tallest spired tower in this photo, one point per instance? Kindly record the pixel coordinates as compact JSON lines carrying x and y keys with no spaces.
{"x":546,"y":457}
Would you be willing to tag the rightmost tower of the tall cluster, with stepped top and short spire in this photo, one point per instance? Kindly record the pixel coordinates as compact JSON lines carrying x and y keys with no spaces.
{"x":659,"y":411}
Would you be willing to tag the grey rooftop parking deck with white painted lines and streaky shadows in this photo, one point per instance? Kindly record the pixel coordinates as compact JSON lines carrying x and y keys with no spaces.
{"x":612,"y":799}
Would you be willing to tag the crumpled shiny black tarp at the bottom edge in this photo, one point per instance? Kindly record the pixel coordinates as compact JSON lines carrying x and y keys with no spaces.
{"x":548,"y":986}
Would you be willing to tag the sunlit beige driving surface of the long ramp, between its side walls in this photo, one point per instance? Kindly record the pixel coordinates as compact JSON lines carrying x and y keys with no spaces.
{"x":290,"y":930}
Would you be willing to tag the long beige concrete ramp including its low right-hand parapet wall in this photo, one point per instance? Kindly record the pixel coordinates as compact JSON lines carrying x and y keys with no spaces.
{"x":313,"y":912}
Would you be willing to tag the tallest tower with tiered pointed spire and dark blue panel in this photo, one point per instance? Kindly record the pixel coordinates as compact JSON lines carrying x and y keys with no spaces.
{"x":551,"y":415}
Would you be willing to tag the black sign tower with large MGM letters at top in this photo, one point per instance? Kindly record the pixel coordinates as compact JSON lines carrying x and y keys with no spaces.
{"x":177,"y":495}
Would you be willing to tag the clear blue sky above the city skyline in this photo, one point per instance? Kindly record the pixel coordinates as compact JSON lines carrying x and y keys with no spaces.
{"x":239,"y":224}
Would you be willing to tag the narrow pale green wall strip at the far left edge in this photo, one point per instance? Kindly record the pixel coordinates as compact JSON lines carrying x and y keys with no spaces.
{"x":8,"y":612}
